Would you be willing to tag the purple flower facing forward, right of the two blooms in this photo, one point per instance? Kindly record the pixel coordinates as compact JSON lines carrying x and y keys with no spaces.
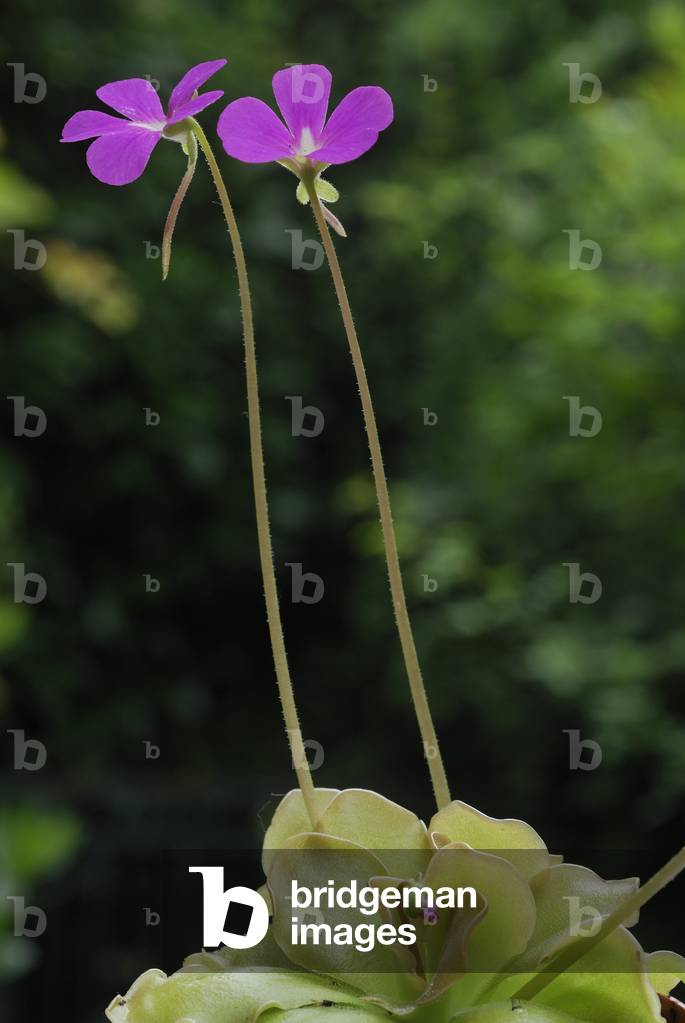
{"x":252,"y":132}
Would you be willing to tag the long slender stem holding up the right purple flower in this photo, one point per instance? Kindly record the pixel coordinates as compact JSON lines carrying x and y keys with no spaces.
{"x":431,"y":746}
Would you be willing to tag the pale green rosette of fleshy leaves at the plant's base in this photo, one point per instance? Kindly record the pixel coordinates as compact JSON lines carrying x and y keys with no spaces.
{"x":466,"y":966}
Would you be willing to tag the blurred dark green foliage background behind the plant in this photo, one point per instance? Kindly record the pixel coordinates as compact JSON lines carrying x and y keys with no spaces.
{"x":491,"y":167}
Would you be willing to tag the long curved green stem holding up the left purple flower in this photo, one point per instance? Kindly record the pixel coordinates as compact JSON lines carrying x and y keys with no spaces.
{"x":260,"y":486}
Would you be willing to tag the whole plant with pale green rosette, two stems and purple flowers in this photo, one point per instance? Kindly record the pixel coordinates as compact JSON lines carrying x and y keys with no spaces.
{"x":505,"y":955}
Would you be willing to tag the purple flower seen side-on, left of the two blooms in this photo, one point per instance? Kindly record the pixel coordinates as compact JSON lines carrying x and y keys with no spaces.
{"x":123,"y":146}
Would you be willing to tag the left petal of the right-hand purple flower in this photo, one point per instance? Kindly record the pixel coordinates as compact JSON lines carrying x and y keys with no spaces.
{"x":252,"y":132}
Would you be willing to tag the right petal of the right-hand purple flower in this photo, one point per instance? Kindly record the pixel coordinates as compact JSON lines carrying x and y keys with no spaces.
{"x":353,"y":127}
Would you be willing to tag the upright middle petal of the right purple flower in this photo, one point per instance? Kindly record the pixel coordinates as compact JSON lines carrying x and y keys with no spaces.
{"x":302,"y":94}
